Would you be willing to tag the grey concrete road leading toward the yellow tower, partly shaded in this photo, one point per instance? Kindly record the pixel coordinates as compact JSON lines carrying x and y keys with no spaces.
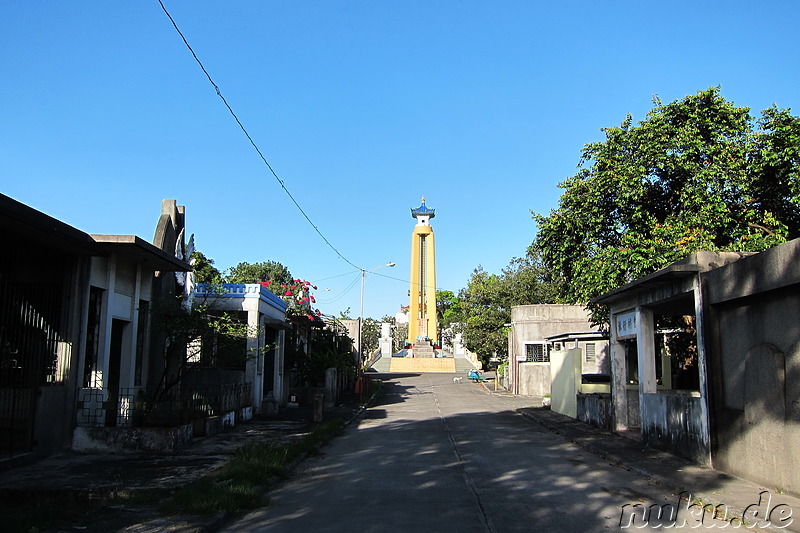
{"x":433,"y":455}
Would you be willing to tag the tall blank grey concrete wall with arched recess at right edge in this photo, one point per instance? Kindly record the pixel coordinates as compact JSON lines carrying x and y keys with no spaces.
{"x":755,"y":360}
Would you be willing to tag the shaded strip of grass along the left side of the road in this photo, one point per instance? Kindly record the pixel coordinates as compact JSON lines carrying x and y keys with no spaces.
{"x":238,"y":486}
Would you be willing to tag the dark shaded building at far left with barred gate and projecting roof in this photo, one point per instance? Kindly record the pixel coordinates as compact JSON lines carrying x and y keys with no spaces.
{"x":74,"y":328}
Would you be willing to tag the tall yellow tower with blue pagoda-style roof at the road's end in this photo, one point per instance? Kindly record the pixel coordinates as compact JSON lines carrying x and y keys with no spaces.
{"x":422,"y":322}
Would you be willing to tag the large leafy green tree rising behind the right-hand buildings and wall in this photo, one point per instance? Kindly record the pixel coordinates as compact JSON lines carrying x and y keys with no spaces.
{"x":698,"y":173}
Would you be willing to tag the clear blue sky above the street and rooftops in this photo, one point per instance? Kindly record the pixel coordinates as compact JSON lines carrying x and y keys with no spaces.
{"x":361,"y":107}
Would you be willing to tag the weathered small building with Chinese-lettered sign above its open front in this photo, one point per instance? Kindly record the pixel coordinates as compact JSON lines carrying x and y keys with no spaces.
{"x":659,"y":357}
